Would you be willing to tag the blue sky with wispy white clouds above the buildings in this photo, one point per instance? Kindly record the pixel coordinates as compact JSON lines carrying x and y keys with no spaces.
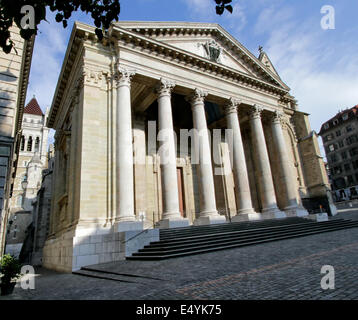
{"x":320,"y":66}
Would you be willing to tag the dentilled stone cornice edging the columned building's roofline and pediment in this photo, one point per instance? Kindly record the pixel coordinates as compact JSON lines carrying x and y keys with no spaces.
{"x":83,"y":34}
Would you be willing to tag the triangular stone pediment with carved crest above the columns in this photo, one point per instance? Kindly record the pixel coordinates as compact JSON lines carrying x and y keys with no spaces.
{"x":209,"y":41}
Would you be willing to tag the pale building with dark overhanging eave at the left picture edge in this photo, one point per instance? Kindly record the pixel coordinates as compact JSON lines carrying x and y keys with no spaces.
{"x":14,"y":75}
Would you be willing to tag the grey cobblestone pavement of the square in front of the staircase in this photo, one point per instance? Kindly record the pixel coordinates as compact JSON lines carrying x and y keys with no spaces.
{"x":287,"y":269}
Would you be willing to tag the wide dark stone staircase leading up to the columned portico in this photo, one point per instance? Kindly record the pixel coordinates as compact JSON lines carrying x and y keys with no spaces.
{"x":177,"y":242}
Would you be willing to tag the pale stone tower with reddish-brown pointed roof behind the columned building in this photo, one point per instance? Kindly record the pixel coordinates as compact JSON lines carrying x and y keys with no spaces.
{"x":32,"y":160}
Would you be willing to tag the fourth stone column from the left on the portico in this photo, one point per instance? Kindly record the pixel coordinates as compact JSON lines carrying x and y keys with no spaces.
{"x":243,"y":194}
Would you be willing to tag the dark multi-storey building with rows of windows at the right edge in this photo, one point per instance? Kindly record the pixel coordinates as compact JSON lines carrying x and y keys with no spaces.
{"x":340,"y":141}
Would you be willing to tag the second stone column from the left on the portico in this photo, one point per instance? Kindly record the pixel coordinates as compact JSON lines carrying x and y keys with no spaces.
{"x":167,"y":152}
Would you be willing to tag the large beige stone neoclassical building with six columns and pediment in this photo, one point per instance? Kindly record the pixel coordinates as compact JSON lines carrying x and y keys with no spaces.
{"x":166,"y":124}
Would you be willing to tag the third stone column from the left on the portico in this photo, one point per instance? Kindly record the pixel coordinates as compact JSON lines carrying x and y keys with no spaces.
{"x":208,"y":212}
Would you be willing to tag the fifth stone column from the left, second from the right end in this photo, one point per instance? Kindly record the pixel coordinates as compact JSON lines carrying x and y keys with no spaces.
{"x":266,"y":186}
